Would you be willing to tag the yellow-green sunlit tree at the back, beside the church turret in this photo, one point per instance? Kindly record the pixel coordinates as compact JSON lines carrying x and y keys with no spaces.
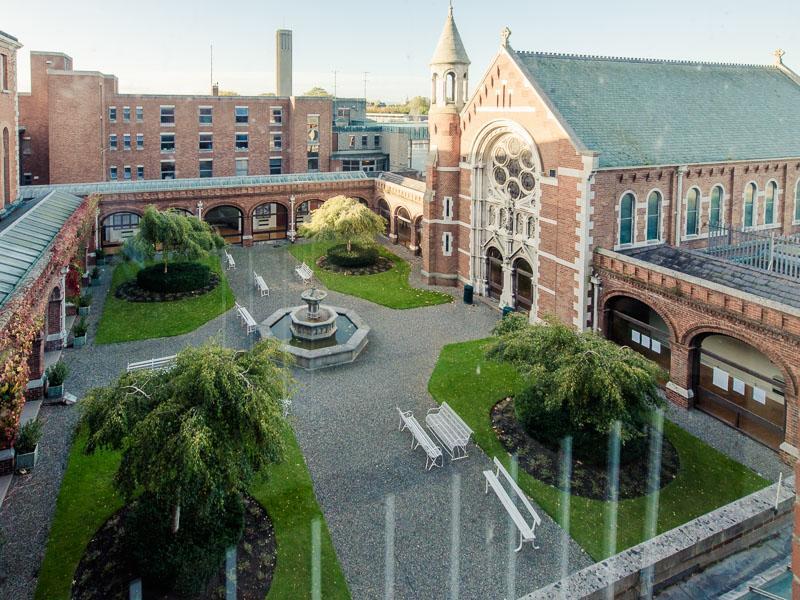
{"x":342,"y":218}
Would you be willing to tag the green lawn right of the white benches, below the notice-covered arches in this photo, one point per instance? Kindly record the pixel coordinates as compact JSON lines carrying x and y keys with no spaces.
{"x":707,"y":479}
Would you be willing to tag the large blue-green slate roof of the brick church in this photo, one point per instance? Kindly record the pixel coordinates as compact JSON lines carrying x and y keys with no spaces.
{"x":637,"y":112}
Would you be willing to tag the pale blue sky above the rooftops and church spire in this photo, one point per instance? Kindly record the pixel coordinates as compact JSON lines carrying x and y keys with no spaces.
{"x":160,"y":46}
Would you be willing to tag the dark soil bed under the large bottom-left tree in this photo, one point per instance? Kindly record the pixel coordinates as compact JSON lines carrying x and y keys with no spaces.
{"x":105,"y":571}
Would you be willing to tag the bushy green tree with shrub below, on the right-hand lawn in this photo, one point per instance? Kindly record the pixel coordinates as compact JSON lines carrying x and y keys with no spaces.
{"x":579,"y":384}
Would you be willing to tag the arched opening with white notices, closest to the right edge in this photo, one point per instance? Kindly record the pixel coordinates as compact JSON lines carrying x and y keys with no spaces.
{"x":739,"y":385}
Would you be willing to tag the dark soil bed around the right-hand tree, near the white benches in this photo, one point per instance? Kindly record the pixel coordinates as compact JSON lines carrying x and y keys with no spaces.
{"x":588,"y":480}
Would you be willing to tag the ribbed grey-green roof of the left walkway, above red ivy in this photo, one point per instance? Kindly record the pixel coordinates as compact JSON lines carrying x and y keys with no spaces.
{"x":25,"y":241}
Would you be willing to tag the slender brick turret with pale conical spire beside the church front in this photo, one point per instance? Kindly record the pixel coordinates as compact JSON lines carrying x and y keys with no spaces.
{"x":449,"y":87}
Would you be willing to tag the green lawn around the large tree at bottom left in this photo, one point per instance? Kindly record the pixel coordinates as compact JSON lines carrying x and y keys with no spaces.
{"x":87,"y":499}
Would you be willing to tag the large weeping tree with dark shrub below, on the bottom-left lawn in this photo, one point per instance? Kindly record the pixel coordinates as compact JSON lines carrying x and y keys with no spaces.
{"x":192,"y":438}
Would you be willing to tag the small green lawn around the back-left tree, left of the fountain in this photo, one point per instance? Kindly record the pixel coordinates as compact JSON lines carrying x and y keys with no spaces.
{"x":124,"y":321}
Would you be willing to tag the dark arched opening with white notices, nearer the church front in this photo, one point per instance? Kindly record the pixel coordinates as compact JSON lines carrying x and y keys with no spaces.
{"x":631,"y":322}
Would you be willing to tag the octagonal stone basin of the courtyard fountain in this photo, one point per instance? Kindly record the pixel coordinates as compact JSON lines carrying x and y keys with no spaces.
{"x":343,"y":346}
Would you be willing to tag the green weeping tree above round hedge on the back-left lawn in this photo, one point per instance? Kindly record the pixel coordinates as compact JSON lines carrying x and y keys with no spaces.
{"x":173,"y":234}
